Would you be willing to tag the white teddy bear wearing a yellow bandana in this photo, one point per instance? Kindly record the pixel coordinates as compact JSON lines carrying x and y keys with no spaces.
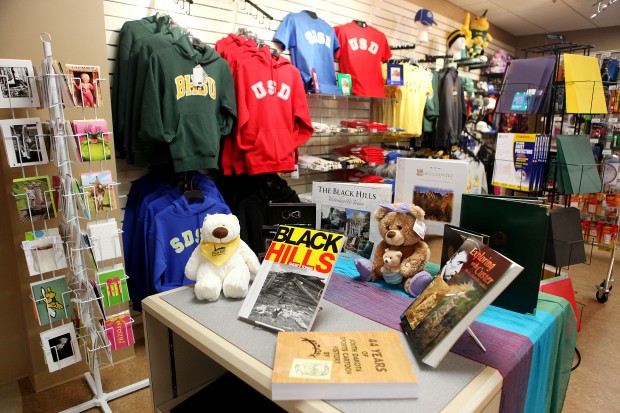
{"x":222,"y":261}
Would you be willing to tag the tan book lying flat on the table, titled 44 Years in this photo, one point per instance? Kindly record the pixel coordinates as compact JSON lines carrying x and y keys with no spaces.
{"x":342,"y":365}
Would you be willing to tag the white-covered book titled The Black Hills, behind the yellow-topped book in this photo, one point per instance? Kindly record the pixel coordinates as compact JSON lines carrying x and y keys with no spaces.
{"x":347,"y":208}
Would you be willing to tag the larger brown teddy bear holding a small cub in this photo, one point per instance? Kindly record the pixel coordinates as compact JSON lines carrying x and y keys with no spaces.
{"x":396,"y":223}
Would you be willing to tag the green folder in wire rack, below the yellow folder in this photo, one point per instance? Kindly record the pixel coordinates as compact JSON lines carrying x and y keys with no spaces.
{"x":577,"y":169}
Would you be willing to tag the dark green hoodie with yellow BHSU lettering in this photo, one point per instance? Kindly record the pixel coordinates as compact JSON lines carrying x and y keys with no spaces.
{"x":191,"y":120}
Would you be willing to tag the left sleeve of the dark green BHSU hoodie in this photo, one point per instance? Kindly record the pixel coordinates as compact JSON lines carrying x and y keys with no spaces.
{"x":152,"y":128}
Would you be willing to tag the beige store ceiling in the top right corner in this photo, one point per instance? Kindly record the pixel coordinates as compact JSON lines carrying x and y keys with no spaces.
{"x":527,"y":17}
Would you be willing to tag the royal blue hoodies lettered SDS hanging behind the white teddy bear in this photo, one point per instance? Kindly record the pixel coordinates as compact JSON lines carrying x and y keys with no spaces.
{"x":160,"y":230}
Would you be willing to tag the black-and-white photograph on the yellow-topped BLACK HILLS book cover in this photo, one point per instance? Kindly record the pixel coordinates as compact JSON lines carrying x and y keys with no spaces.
{"x":289,"y":298}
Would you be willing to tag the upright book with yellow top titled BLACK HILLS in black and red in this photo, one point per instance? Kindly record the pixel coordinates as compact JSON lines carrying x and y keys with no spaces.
{"x":291,"y":281}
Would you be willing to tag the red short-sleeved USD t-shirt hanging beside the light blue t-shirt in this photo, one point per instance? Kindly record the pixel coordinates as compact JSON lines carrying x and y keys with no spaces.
{"x":361,"y":53}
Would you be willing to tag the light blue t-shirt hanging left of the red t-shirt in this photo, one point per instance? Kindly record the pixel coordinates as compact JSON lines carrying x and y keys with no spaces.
{"x":312,"y":43}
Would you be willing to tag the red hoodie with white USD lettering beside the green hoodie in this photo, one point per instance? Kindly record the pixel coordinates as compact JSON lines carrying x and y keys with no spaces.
{"x":273,"y":115}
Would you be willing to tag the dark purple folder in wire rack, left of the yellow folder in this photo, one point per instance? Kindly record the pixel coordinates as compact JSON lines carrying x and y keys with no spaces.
{"x":527,"y":86}
